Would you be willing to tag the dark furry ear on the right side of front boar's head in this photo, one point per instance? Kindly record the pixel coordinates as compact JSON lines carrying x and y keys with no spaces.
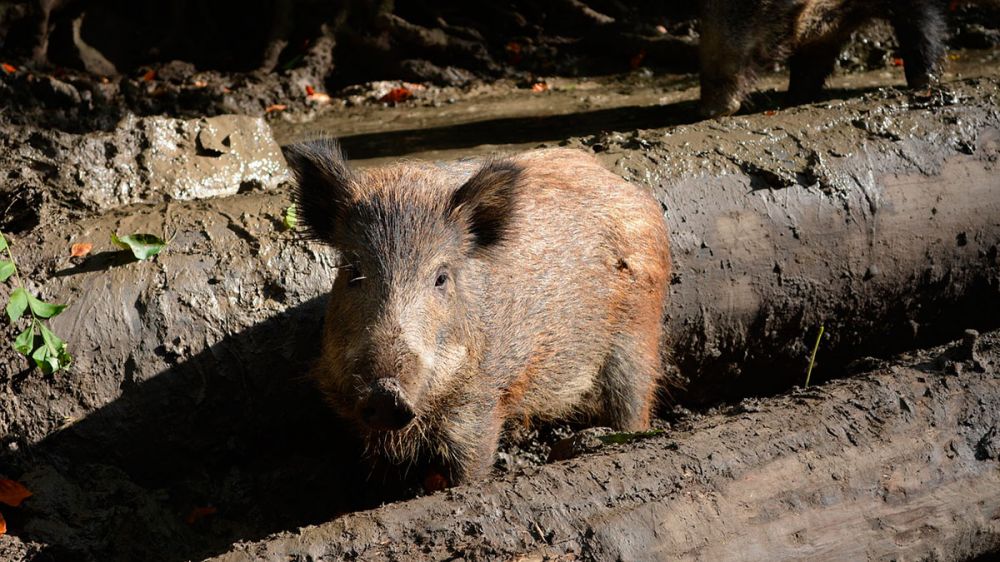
{"x":486,"y":201}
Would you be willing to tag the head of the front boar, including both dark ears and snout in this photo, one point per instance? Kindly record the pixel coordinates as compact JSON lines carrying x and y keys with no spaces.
{"x":402,"y":326}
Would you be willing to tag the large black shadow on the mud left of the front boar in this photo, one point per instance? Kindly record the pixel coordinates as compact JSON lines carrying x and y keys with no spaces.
{"x":229,"y":445}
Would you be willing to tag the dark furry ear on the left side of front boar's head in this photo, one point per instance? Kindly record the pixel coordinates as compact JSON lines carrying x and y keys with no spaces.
{"x":323,"y":185}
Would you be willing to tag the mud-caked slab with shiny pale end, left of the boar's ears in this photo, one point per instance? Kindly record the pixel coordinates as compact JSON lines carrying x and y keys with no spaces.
{"x":143,"y":160}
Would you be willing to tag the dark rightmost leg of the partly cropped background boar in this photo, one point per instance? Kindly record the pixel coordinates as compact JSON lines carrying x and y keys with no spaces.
{"x":919,"y":27}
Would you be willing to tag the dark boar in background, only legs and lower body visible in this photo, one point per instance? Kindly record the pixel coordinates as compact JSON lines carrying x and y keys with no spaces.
{"x":738,"y":36}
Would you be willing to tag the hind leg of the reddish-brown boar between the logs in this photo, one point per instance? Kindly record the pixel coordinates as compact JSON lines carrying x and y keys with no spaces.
{"x":629,"y":378}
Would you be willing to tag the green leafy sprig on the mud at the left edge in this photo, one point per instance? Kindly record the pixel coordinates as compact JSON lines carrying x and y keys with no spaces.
{"x":37,"y":341}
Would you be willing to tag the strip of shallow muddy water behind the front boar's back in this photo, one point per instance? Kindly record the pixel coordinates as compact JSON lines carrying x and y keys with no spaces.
{"x":505,"y":116}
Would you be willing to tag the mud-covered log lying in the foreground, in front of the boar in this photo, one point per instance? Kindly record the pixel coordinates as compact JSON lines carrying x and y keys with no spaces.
{"x":898,"y":463}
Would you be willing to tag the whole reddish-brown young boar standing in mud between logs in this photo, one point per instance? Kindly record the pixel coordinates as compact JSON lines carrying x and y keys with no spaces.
{"x":528,"y":287}
